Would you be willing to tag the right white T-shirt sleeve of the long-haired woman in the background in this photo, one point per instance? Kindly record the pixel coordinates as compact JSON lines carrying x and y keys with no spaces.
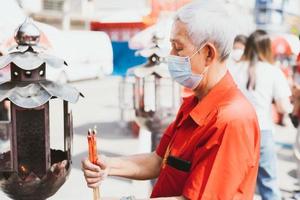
{"x":281,"y":87}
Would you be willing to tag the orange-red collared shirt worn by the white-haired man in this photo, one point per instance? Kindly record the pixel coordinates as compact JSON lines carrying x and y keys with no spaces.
{"x":219,"y":137}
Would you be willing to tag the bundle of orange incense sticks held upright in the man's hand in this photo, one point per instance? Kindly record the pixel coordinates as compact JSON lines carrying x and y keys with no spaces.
{"x":93,"y":156}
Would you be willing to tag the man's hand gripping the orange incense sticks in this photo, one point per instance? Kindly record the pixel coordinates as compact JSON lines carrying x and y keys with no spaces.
{"x":94,"y":174}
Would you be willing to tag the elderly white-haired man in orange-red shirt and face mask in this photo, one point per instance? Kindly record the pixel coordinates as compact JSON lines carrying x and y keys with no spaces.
{"x":211,"y":150}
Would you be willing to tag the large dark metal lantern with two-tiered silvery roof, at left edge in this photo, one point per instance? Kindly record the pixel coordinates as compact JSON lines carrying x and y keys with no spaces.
{"x":29,"y":168}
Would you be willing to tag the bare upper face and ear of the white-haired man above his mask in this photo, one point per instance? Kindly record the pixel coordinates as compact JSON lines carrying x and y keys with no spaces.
{"x":183,"y":46}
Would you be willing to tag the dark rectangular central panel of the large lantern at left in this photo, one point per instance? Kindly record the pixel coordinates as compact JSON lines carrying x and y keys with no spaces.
{"x":32,"y":143}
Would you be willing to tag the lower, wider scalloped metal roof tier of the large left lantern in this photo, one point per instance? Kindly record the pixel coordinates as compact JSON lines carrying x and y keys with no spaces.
{"x":31,"y":95}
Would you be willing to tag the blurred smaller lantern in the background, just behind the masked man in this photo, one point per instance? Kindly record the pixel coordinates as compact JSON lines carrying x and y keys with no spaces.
{"x":149,"y":91}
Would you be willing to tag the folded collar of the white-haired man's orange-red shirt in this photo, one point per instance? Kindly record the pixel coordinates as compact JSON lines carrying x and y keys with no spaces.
{"x":213,"y":99}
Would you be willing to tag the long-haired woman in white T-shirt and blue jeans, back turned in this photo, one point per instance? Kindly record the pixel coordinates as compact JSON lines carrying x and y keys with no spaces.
{"x":261,"y":82}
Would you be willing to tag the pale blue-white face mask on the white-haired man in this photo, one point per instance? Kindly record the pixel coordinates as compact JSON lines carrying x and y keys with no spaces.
{"x":180,"y":69}
